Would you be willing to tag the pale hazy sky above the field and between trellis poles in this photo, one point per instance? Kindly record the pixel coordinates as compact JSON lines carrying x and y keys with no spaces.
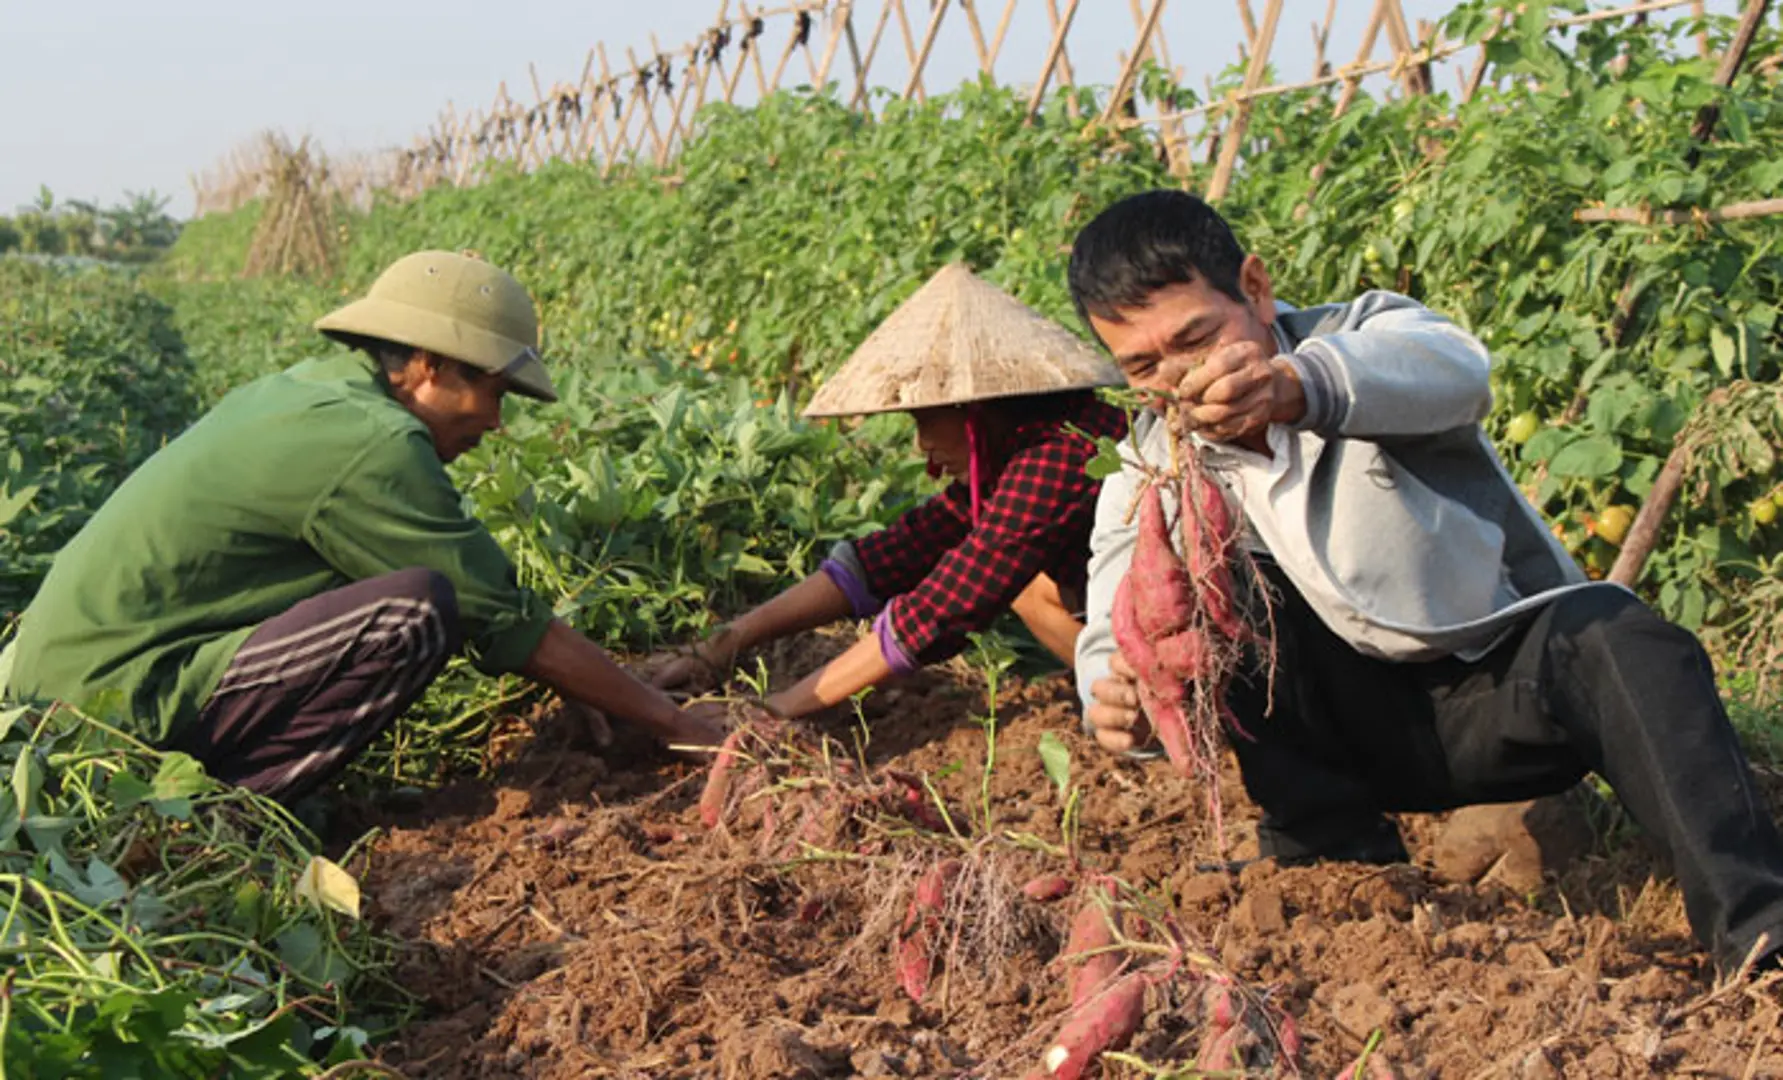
{"x":108,"y":97}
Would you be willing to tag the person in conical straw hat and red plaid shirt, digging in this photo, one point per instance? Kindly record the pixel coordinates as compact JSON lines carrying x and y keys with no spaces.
{"x":996,"y":391}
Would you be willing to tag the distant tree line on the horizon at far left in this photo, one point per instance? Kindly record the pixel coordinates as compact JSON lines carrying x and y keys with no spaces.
{"x":133,"y":231}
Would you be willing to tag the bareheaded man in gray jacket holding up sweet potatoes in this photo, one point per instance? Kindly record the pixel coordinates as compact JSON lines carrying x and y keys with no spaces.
{"x":1436,"y":648}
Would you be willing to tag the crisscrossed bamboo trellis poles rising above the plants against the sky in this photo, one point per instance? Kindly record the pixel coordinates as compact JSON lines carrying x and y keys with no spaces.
{"x":641,"y":113}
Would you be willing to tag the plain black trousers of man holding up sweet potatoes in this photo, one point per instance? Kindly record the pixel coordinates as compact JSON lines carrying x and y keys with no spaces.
{"x":1595,"y":683}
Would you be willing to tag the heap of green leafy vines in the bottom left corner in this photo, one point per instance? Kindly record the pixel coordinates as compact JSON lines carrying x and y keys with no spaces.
{"x":151,"y":920}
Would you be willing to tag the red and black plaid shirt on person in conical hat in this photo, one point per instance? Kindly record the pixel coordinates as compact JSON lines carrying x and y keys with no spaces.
{"x":1037,"y":509}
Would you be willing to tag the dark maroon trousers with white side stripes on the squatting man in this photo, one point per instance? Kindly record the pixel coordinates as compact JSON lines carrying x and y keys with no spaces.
{"x":313,"y":687}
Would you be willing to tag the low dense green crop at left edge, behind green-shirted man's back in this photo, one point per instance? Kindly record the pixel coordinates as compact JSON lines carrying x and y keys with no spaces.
{"x":92,"y":380}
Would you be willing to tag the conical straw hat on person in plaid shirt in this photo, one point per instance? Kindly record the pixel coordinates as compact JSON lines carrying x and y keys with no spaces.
{"x":960,"y":340}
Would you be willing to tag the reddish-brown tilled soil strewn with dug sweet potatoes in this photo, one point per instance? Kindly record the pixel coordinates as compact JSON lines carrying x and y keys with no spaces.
{"x":575,"y":919}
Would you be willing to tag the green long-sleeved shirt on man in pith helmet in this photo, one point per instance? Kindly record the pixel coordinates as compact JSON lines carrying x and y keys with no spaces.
{"x":293,"y":486}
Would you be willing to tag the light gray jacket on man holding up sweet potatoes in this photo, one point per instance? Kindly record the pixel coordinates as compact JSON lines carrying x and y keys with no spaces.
{"x":1386,"y":505}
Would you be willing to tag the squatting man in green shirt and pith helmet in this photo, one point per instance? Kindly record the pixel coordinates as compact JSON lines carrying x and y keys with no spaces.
{"x":279,"y":584}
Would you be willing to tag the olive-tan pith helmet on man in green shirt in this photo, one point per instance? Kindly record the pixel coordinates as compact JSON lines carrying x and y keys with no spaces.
{"x":457,"y":307}
